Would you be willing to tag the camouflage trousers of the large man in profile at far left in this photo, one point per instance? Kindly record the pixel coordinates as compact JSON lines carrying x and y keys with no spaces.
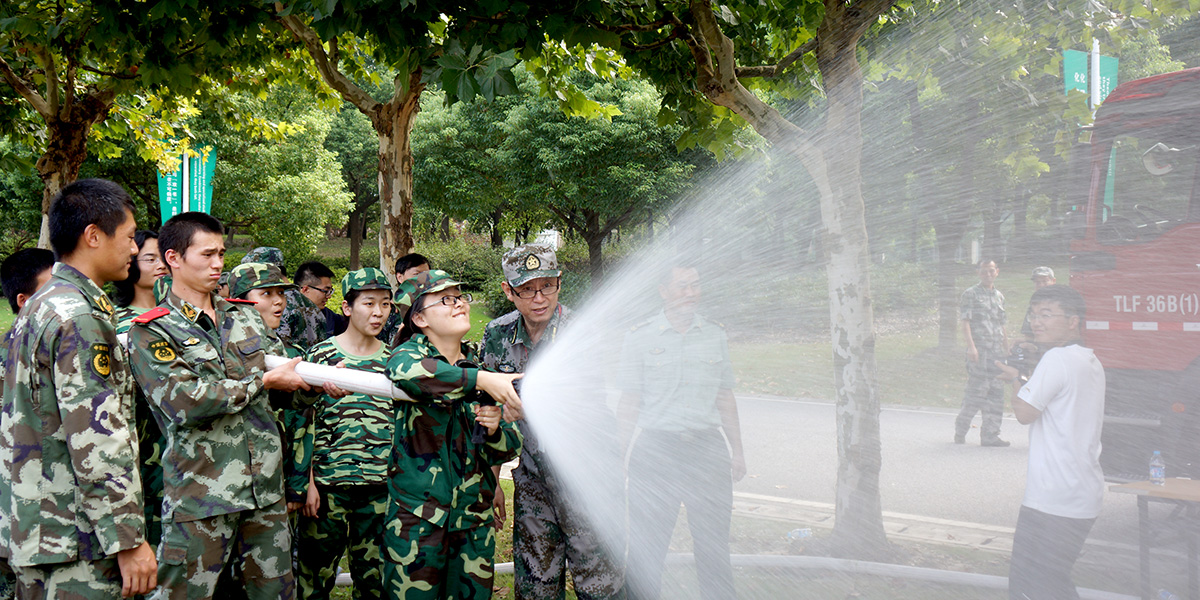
{"x":80,"y":580}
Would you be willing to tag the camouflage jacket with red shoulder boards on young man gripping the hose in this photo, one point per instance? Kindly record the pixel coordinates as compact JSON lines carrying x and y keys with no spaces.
{"x":205,"y":382}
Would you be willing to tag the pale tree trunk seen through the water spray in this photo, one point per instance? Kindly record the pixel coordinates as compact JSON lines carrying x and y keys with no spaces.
{"x":859,"y":529}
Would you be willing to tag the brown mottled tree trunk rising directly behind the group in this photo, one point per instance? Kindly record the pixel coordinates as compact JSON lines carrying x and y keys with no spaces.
{"x":394,"y":124}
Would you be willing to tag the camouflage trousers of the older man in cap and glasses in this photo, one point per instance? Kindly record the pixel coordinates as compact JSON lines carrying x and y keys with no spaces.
{"x":547,"y":538}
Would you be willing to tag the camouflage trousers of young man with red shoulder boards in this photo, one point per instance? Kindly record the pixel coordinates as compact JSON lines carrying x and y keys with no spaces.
{"x":194,"y":554}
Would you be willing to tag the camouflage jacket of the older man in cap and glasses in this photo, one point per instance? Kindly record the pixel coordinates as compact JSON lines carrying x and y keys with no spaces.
{"x":507,"y":350}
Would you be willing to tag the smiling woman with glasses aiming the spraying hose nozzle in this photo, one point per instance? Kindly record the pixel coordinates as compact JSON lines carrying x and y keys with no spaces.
{"x":439,"y":541}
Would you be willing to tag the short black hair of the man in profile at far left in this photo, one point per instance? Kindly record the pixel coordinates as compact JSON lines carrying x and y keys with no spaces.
{"x":87,"y":202}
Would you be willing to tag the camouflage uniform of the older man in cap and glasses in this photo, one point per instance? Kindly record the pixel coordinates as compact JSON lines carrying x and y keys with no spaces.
{"x":548,"y":533}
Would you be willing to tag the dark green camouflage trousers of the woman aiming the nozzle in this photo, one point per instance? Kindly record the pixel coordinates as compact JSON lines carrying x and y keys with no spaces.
{"x":425,"y":562}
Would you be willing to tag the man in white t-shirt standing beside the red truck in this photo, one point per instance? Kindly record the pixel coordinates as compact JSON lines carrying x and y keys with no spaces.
{"x":1064,"y":405}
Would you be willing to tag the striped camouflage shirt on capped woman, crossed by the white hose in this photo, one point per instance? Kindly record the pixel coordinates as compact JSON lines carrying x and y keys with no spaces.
{"x":352,"y":435}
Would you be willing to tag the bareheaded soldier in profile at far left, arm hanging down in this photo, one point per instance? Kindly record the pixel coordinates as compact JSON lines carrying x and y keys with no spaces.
{"x":73,"y":506}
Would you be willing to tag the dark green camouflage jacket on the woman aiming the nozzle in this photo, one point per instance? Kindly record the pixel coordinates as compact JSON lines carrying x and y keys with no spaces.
{"x":436,"y":472}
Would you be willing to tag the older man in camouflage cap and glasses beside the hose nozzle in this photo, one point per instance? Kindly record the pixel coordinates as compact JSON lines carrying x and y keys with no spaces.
{"x":548,"y":533}
